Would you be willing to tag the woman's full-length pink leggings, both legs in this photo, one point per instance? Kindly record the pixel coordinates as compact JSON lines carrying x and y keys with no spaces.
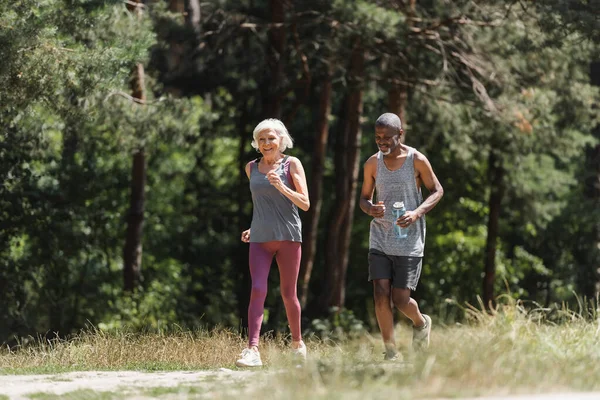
{"x":287,"y":254}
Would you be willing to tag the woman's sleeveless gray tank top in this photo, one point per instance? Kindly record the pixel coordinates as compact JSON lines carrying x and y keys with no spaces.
{"x":274,"y":216}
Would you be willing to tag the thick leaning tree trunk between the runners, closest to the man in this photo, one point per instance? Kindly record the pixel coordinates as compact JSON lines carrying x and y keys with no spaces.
{"x":347,"y":156}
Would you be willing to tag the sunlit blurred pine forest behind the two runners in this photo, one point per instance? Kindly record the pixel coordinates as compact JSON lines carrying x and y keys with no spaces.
{"x":125,"y":127}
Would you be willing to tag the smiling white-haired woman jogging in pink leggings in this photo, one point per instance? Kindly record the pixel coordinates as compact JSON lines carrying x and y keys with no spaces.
{"x":278,"y":187}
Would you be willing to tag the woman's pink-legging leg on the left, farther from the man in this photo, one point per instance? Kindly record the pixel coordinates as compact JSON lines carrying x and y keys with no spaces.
{"x":261,"y":256}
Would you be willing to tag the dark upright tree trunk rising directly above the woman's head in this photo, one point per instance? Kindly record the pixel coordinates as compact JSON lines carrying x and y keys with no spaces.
{"x":275,"y":49}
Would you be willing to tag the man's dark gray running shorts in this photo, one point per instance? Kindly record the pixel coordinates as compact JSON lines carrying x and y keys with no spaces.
{"x":404,"y":272}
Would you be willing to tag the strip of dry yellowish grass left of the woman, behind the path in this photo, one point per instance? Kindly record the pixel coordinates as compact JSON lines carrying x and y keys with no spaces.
{"x":98,"y":350}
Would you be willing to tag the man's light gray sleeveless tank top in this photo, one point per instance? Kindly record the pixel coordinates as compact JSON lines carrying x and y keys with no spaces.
{"x":390,"y":187}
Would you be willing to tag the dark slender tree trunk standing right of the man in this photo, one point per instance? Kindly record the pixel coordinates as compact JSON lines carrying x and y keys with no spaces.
{"x":496,"y":176}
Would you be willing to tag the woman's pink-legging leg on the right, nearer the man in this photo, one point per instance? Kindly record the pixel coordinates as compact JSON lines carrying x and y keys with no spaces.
{"x":288,"y":261}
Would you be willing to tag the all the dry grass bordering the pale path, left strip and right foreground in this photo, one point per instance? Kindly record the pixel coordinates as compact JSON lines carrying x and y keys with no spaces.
{"x":511,"y":351}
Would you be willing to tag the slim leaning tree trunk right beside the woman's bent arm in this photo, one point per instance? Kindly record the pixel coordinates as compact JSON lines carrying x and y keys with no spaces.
{"x":311,"y":225}
